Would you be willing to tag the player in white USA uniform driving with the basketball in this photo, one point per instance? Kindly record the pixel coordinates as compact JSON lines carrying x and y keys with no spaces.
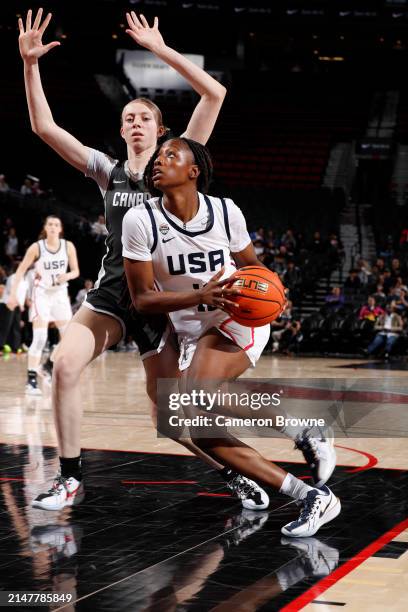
{"x":176,"y":249}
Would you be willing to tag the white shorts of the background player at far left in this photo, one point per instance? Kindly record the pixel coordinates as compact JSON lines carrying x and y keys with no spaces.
{"x":50,"y":305}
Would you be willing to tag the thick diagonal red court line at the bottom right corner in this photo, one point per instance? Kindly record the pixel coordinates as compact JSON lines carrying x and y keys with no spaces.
{"x":319,"y":588}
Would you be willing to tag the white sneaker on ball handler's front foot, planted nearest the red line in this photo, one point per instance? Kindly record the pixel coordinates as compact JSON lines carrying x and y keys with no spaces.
{"x":319,"y":508}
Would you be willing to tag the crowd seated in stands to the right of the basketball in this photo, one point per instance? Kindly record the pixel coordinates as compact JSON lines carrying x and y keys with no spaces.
{"x":367,"y":314}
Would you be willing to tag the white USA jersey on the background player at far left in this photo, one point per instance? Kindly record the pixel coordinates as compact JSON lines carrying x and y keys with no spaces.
{"x":50,"y":265}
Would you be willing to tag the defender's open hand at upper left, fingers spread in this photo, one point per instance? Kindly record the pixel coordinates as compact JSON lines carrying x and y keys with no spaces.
{"x":30,"y":39}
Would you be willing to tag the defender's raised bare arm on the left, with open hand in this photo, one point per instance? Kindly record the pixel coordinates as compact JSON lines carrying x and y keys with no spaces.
{"x":42,"y":121}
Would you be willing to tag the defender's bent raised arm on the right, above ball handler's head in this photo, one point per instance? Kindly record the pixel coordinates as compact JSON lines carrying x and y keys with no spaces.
{"x":212,"y":93}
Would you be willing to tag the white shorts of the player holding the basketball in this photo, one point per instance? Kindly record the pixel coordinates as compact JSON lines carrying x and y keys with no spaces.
{"x":252,"y":340}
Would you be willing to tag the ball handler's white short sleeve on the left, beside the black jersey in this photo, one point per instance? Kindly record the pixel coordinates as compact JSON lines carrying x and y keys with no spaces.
{"x":137,"y":240}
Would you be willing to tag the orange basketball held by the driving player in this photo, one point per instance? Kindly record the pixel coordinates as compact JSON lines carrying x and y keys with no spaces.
{"x":262,"y":297}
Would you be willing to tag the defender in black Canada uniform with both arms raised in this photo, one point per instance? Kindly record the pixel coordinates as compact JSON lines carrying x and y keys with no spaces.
{"x":100,"y":323}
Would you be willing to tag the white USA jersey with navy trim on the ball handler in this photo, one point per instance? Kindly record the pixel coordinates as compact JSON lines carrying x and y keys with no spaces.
{"x":186,"y":256}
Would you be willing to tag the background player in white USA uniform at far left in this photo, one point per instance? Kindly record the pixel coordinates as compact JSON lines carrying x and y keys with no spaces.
{"x":51,"y":256}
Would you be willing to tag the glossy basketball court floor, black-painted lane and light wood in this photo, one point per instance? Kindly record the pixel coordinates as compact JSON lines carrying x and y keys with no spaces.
{"x":190,"y":542}
